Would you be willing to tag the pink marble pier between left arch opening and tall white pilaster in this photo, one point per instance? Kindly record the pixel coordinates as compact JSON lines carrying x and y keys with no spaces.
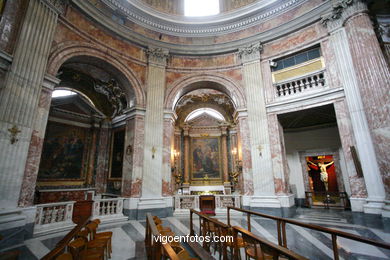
{"x":133,"y":156}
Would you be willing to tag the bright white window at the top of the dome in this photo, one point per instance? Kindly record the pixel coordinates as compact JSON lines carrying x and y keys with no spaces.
{"x":201,"y":7}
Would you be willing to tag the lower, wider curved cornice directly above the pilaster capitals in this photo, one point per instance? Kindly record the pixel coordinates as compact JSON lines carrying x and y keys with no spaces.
{"x":207,"y":46}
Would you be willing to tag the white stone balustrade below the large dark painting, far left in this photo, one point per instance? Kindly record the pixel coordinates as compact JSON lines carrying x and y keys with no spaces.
{"x":53,"y":217}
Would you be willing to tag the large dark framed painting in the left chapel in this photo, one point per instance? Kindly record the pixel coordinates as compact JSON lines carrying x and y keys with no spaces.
{"x":64,"y":152}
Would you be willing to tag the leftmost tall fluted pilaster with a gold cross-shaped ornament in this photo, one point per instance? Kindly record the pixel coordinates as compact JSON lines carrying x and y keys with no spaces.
{"x":19,"y":97}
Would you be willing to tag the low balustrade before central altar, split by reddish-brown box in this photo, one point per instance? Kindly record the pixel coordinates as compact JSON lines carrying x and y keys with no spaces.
{"x":185,"y":202}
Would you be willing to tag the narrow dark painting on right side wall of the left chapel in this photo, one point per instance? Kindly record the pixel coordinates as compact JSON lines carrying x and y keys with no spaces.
{"x":116,"y":154}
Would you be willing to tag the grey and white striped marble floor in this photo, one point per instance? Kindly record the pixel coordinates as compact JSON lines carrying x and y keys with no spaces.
{"x":128,"y":237}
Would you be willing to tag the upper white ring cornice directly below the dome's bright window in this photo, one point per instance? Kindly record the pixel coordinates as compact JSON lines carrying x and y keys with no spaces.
{"x":200,"y":27}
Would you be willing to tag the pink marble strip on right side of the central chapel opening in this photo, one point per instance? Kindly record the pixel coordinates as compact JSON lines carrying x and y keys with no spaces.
{"x":246,"y":176}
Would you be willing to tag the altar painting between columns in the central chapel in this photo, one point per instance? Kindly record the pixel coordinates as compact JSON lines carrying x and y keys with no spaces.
{"x":205,"y":155}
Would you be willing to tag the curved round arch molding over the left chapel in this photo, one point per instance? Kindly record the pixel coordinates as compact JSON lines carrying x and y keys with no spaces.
{"x":65,"y":51}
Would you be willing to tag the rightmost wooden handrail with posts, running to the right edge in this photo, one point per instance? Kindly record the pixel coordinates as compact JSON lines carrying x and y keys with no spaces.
{"x":282,"y":238}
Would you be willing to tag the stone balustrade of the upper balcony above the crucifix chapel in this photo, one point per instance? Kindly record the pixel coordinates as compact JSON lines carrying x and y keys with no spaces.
{"x":300,"y":84}
